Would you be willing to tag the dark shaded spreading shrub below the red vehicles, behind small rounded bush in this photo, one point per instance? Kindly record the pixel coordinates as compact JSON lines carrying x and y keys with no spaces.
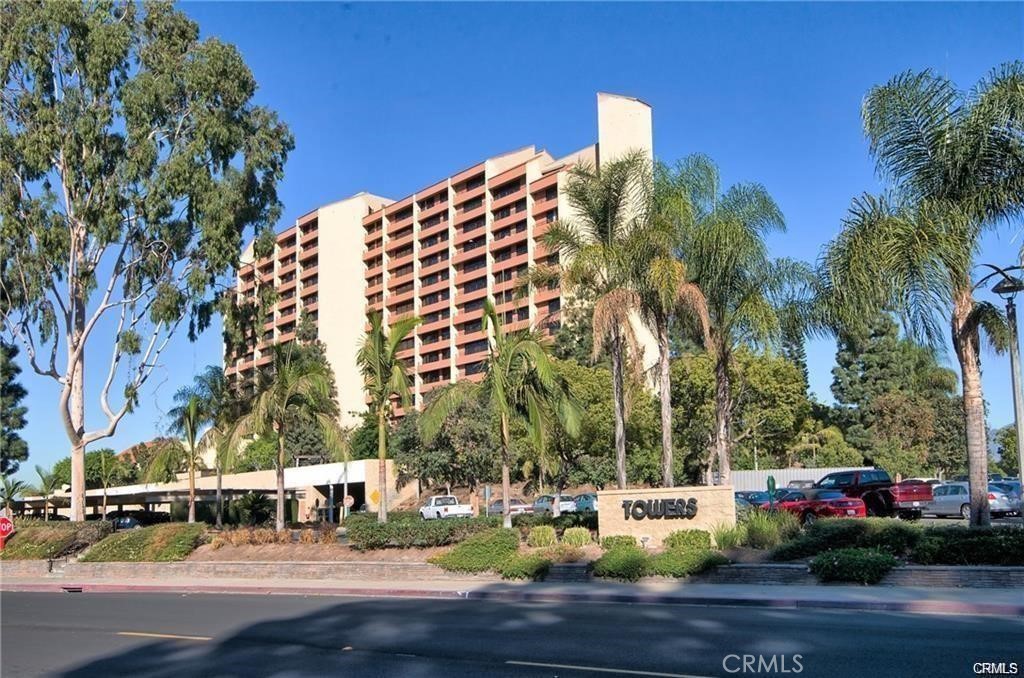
{"x":890,"y":535}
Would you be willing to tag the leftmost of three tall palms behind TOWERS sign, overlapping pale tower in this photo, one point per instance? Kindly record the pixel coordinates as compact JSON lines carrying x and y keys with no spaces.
{"x":600,"y":247}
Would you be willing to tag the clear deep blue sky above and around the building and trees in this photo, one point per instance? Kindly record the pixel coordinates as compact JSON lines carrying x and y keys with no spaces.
{"x":391,"y":98}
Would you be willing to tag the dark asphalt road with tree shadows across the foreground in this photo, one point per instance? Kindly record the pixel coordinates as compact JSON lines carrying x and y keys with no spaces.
{"x":139,"y":634}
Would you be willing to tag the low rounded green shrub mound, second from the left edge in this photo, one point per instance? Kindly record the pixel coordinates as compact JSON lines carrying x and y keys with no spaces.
{"x":158,"y":543}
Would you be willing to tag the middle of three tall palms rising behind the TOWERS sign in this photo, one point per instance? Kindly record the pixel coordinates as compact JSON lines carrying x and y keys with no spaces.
{"x":667,"y":291}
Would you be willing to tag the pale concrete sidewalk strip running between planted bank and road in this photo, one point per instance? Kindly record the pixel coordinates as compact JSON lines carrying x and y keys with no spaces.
{"x":1003,"y":603}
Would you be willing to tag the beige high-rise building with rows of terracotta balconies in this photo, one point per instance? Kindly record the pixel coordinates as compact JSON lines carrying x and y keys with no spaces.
{"x":438,"y":255}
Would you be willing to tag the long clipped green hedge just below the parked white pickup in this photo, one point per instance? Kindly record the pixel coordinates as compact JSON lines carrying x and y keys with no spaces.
{"x":369,"y":535}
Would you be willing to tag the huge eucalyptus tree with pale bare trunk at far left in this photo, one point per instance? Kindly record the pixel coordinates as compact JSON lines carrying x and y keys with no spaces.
{"x":134,"y":163}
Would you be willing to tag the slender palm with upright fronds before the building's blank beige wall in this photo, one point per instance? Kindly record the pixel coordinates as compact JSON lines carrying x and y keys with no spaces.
{"x":386,"y":380}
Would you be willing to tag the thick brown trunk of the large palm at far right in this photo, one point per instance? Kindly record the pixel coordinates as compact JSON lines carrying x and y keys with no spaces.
{"x":967,"y":346}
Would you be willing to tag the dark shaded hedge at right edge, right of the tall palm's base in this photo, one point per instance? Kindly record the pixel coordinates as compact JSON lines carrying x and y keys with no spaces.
{"x":970,"y":546}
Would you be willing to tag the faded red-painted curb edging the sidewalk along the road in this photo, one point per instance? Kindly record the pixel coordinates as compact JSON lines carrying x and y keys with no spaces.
{"x":914,"y":607}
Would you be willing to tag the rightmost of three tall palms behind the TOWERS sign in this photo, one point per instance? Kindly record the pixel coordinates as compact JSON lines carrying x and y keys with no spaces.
{"x":722,"y":247}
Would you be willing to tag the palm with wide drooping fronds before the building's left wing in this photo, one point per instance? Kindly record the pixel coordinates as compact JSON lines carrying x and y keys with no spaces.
{"x":295,"y":391}
